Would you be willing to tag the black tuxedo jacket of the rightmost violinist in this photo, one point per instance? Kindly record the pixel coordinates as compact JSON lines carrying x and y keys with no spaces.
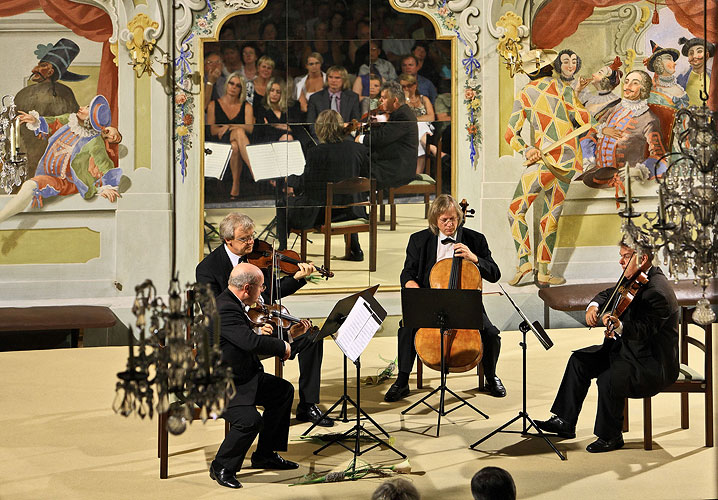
{"x":645,"y":359}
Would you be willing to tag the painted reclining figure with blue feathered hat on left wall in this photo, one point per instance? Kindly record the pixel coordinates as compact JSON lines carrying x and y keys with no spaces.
{"x":76,"y":159}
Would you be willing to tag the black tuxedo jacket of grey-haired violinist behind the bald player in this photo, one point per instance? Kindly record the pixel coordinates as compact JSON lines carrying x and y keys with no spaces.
{"x":216,"y":267}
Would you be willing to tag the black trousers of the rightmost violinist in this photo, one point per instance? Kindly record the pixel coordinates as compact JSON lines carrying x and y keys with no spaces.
{"x":582,"y":367}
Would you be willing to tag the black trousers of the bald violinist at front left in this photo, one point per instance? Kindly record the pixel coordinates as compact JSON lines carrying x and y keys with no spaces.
{"x":275,"y":395}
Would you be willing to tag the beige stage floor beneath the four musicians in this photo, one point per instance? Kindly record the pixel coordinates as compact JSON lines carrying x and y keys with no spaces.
{"x":60,"y":439}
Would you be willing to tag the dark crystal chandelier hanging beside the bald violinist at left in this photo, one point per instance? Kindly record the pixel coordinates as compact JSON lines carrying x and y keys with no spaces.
{"x":176,"y":357}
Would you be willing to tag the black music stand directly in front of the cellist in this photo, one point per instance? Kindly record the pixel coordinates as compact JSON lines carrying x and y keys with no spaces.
{"x":446,"y":310}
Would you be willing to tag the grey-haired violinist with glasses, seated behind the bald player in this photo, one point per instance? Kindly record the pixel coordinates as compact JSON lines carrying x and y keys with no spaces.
{"x":237,"y":231}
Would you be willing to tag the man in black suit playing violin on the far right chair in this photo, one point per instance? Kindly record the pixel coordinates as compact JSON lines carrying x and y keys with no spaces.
{"x":638,"y":360}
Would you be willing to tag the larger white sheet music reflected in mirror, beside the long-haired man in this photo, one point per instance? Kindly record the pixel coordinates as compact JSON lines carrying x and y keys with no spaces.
{"x":276,"y":159}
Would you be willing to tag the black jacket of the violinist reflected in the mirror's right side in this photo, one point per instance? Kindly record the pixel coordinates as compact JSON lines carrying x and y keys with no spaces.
{"x":394,"y":148}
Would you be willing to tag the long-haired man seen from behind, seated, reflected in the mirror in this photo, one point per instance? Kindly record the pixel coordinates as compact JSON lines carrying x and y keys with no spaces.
{"x":336,"y":158}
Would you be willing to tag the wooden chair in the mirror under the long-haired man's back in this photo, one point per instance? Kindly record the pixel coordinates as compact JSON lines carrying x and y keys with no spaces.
{"x":356,"y":185}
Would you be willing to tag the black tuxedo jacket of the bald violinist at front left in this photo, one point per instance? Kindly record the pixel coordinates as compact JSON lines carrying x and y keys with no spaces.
{"x":241,"y":346}
